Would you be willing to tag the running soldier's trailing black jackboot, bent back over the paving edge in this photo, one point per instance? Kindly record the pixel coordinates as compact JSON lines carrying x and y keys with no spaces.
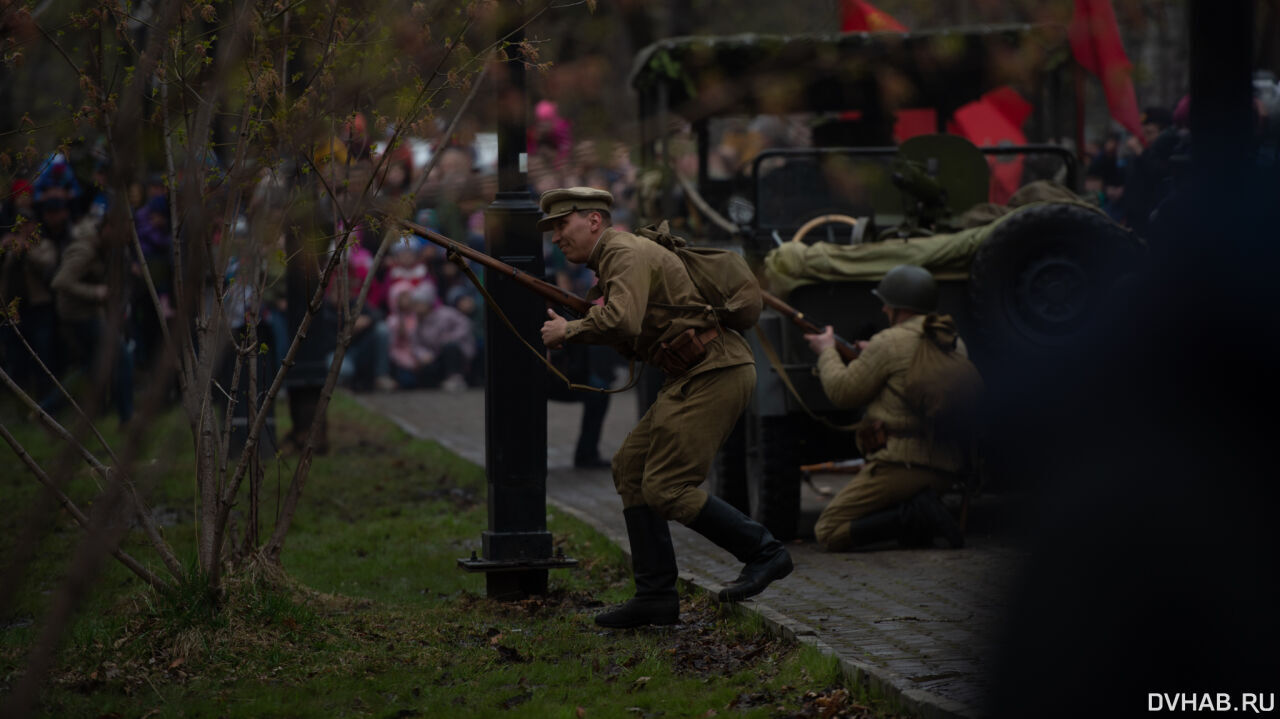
{"x":765,"y":557}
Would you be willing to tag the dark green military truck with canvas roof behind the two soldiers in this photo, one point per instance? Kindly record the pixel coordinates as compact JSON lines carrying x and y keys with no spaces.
{"x":851,"y":172}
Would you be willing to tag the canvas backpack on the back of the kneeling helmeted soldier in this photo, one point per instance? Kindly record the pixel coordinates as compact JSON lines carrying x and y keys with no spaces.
{"x":943,"y":386}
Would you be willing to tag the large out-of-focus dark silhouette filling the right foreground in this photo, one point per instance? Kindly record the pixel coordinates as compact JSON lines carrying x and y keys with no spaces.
{"x":1153,"y":539}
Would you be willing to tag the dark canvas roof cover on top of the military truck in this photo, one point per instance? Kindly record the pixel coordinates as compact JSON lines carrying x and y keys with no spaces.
{"x":707,"y":76}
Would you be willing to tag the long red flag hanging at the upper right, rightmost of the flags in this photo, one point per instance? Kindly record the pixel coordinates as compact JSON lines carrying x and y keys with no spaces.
{"x":1098,"y":48}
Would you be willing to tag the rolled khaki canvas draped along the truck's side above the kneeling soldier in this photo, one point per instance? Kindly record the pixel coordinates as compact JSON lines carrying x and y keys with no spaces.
{"x":948,"y":257}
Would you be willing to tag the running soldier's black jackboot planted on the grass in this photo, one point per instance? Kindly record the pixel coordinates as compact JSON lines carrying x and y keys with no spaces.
{"x":653,"y":561}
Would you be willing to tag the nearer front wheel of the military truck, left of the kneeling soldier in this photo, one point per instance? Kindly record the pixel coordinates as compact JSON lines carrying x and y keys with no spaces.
{"x":774,"y":478}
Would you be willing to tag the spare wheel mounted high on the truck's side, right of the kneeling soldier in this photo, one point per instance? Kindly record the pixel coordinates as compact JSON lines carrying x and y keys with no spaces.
{"x":1043,"y":276}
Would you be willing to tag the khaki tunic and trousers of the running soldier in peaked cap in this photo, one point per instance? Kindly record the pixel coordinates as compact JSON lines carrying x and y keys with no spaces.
{"x":647,"y":295}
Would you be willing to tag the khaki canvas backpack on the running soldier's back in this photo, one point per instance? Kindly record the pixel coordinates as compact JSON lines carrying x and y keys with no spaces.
{"x":721,"y":277}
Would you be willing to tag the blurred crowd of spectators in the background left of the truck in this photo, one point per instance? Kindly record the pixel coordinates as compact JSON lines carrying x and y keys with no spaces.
{"x":422,"y":324}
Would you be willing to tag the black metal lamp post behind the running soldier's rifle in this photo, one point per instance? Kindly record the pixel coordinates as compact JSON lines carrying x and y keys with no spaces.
{"x":518,"y":548}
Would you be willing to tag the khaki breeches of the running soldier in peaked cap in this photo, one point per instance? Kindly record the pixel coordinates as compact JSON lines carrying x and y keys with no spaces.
{"x":671,"y":451}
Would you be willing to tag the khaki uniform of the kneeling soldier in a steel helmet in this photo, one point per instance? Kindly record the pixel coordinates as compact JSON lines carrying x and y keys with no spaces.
{"x":911,"y":461}
